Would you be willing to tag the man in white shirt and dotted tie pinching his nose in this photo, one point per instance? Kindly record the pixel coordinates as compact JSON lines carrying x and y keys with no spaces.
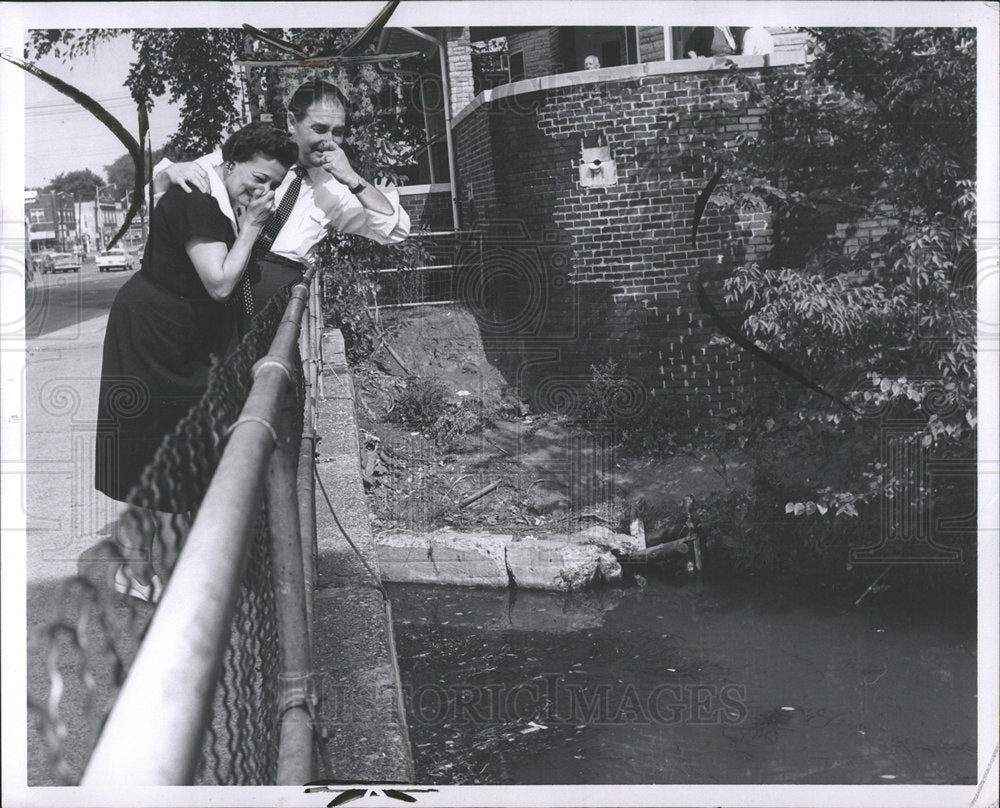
{"x":332,"y":196}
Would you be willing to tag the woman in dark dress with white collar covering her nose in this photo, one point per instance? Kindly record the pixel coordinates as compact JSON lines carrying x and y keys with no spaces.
{"x":171,"y":316}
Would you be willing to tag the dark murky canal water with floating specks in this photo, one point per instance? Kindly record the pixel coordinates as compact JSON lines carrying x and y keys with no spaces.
{"x":741,"y":682}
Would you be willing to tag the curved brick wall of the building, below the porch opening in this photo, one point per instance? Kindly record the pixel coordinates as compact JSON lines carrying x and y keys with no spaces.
{"x":600,"y":273}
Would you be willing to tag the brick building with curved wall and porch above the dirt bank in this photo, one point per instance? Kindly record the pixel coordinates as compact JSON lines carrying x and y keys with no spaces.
{"x":566,"y":265}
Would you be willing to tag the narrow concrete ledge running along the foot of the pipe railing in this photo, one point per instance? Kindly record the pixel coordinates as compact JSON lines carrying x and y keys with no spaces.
{"x":358,"y":678}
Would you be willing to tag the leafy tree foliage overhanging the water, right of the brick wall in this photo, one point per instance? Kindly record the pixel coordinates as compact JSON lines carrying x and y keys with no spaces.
{"x":866,"y":158}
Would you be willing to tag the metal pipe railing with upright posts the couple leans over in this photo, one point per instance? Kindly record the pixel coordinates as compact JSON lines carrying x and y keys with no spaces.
{"x":208,"y":673}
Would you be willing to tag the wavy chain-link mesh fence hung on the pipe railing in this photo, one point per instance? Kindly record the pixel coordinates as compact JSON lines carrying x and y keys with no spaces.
{"x":97,"y":636}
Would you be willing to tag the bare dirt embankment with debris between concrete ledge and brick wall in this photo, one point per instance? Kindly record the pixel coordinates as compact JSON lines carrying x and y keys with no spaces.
{"x":447,"y":443}
